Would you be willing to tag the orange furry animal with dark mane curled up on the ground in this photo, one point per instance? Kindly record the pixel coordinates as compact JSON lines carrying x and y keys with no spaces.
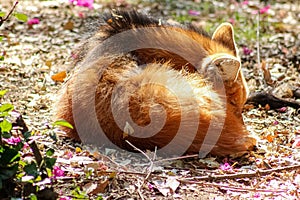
{"x":155,"y":97}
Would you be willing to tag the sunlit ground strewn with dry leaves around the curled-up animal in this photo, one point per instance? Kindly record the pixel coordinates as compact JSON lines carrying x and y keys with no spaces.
{"x":32,"y":54}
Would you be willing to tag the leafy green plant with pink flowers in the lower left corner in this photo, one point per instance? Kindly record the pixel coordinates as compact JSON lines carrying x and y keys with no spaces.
{"x":18,"y":171}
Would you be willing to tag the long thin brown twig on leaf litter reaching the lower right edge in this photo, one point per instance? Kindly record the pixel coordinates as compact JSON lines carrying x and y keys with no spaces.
{"x":244,"y":175}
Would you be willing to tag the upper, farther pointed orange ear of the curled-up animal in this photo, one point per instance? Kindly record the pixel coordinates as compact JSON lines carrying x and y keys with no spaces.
{"x":225,"y":35}
